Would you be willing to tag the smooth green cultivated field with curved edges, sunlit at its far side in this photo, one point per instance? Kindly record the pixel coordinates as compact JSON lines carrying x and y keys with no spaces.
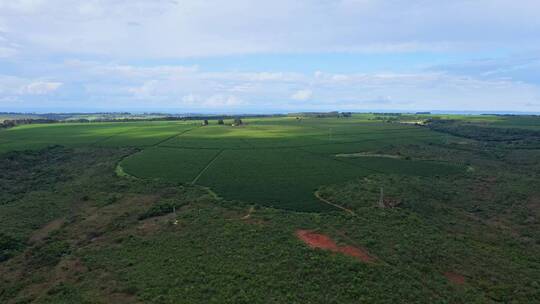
{"x":277,"y":162}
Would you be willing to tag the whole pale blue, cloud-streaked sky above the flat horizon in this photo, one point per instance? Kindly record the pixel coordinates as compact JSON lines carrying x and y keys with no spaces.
{"x":269,"y":56}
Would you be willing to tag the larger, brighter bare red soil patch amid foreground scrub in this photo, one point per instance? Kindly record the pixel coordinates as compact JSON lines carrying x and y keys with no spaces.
{"x":321,"y":241}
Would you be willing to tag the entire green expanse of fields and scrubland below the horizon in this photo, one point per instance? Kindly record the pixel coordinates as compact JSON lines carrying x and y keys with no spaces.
{"x":462,"y":224}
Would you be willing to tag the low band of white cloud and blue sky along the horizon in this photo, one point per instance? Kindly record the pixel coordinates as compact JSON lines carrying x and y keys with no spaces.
{"x":183,"y":88}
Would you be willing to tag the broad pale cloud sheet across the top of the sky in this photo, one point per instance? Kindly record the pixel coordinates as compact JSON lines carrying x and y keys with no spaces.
{"x":170,"y":29}
